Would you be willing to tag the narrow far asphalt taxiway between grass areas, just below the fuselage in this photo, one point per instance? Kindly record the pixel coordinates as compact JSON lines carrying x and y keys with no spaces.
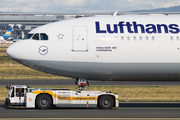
{"x":71,"y":82}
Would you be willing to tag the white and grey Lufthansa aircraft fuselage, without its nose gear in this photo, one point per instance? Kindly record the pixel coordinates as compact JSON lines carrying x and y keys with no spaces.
{"x":104,"y":48}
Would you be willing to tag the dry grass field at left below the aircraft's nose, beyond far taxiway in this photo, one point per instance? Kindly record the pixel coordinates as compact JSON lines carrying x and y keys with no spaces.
{"x":10,"y":69}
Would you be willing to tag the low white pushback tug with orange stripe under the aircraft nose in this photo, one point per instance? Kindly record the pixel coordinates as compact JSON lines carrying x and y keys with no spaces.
{"x":25,"y":97}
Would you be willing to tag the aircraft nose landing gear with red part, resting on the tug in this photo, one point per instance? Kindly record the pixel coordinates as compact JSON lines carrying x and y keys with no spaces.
{"x":81,"y":83}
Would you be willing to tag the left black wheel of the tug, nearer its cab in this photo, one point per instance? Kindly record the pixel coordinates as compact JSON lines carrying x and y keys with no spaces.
{"x":43,"y":101}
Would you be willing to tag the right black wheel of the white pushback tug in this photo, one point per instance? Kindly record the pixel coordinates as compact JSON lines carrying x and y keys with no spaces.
{"x":106,"y":102}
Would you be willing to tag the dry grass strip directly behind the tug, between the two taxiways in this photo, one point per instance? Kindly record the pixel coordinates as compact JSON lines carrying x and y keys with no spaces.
{"x":132,"y":93}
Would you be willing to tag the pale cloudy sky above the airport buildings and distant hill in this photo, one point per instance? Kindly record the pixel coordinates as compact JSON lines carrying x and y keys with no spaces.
{"x":82,"y":5}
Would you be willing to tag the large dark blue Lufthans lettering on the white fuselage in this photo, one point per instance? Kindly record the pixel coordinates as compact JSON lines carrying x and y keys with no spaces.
{"x":134,"y":27}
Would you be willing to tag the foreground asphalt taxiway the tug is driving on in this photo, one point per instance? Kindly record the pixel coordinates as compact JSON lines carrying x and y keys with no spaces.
{"x":125,"y":111}
